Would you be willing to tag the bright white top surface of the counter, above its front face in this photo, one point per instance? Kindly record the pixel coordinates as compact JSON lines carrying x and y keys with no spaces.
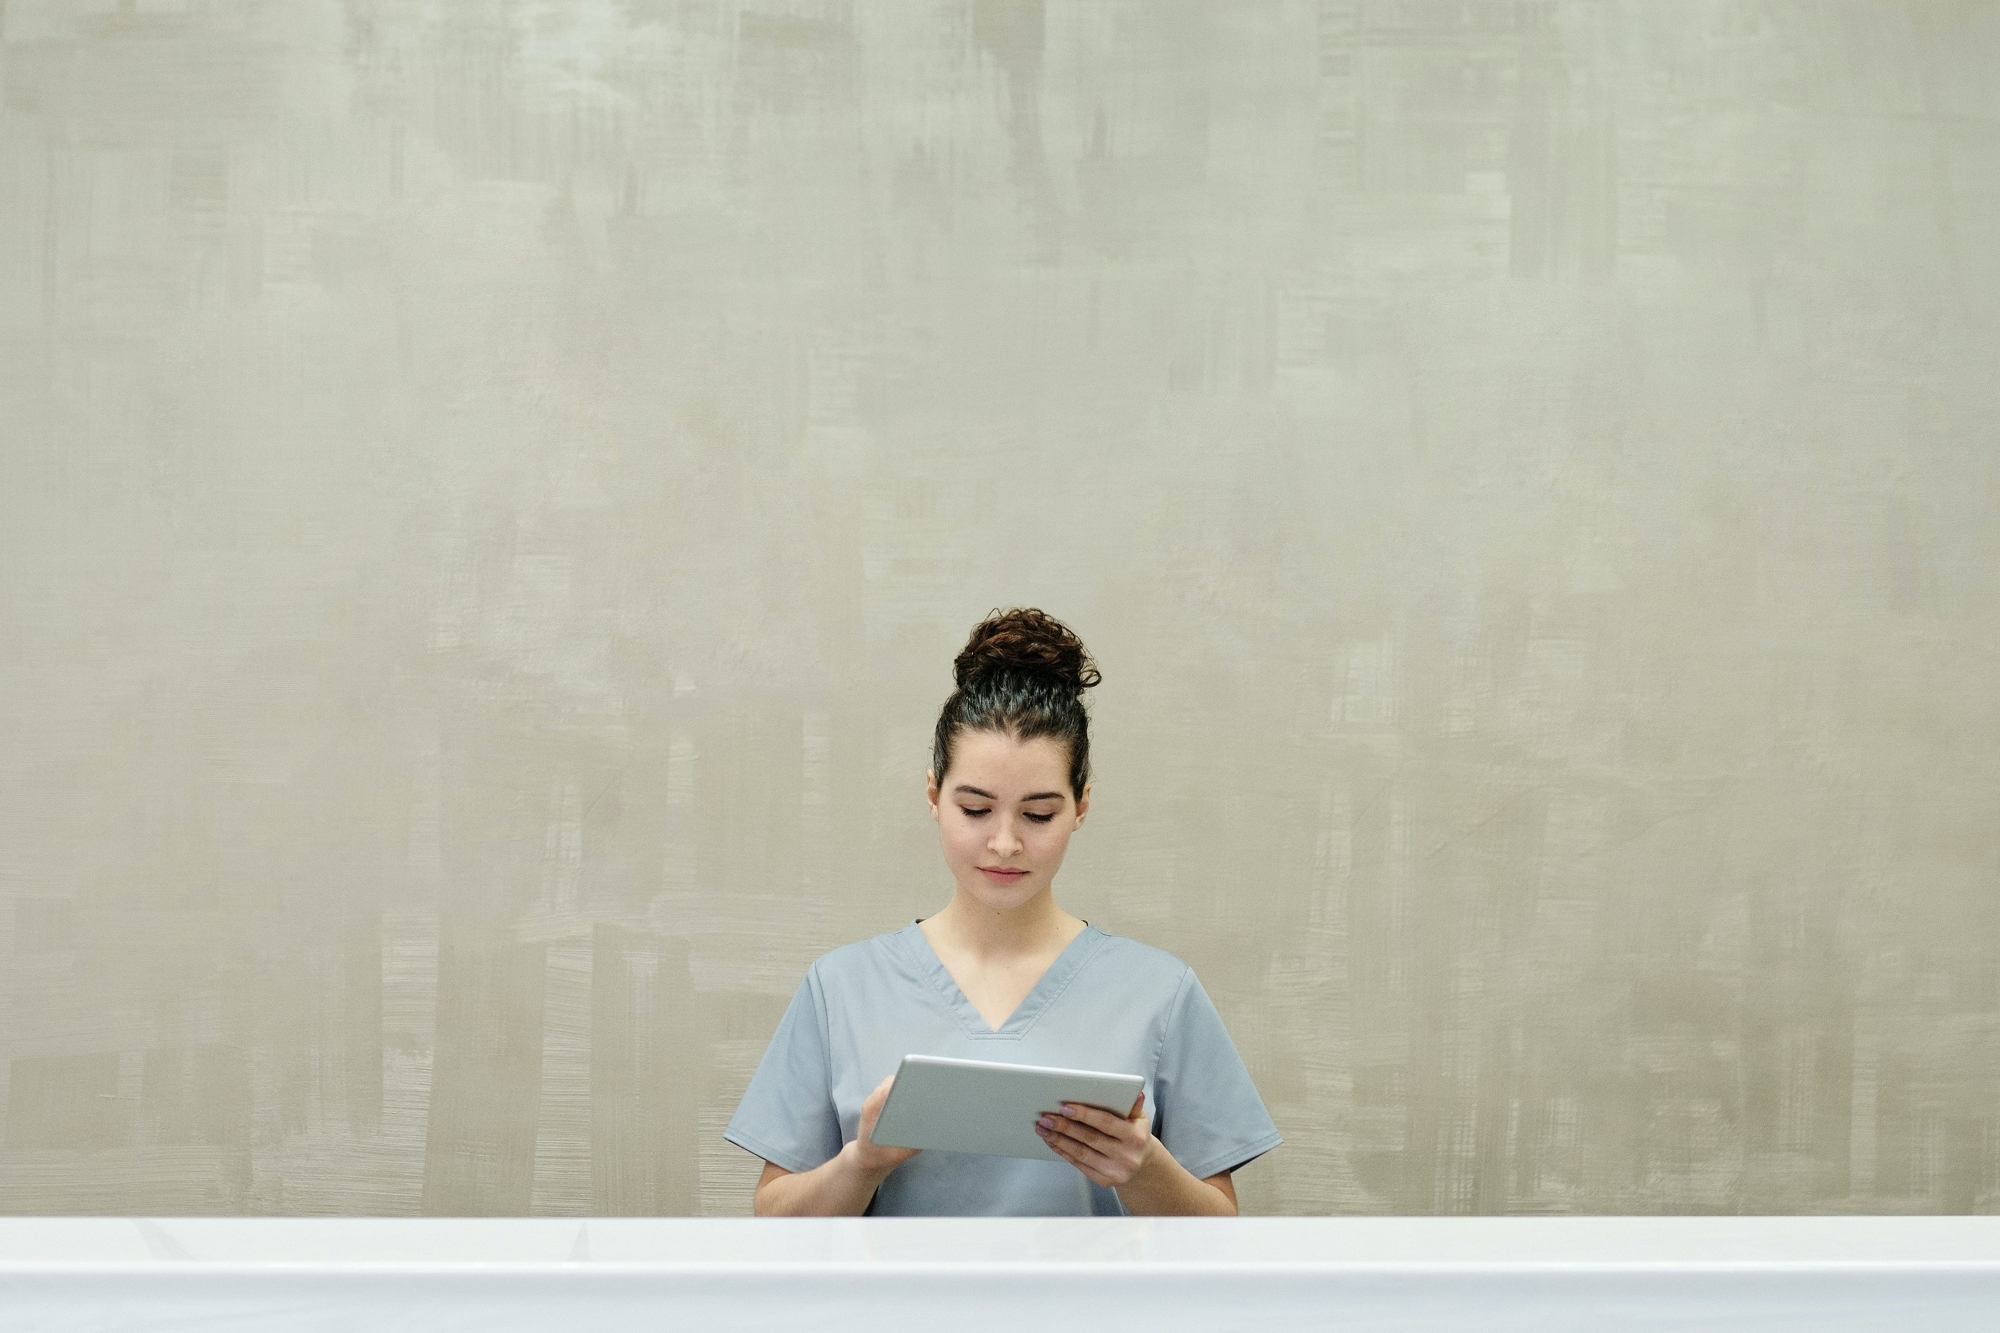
{"x":1255,"y":1242}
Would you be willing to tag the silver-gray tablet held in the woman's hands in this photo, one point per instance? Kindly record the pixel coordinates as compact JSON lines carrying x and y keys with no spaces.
{"x":985,"y":1108}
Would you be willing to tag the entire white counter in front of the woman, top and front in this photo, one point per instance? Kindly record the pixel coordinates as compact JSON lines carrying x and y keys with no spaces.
{"x":967,"y":1276}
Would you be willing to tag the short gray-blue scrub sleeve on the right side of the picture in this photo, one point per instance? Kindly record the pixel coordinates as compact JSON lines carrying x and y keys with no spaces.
{"x":1209,"y":1112}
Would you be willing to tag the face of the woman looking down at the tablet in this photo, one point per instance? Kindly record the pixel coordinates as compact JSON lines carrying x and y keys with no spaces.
{"x":1005,"y":816}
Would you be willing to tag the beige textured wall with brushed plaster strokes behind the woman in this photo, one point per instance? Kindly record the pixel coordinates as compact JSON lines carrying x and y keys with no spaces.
{"x":489,"y":495}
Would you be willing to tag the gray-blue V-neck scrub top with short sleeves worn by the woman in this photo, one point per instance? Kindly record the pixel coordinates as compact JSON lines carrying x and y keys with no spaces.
{"x":1105,"y":1004}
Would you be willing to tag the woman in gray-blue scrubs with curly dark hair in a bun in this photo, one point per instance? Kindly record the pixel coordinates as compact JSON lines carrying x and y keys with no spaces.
{"x":1005,"y":976}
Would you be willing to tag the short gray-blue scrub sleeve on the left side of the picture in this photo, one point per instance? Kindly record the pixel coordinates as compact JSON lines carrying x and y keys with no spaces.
{"x":787,"y":1114}
